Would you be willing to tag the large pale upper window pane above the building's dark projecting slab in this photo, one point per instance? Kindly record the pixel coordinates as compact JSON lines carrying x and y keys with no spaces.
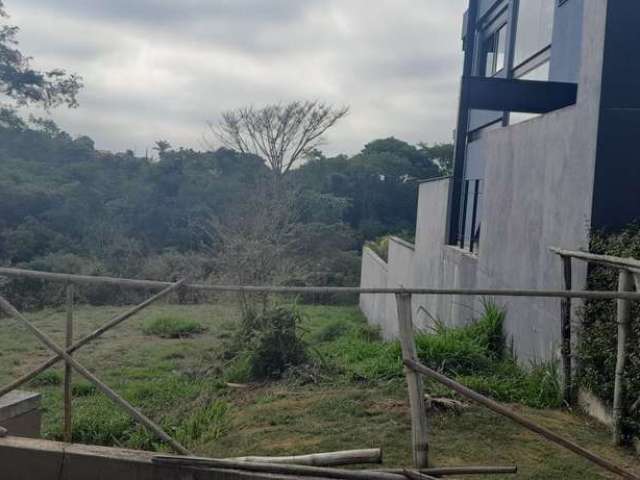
{"x":534,"y":28}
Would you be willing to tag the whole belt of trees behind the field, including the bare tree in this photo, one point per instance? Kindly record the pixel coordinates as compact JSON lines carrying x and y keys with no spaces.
{"x":269,"y":207}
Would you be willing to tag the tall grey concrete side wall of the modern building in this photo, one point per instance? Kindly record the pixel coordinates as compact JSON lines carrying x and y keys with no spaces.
{"x":538,"y":193}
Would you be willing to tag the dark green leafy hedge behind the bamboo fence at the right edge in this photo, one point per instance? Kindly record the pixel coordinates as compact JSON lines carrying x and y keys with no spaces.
{"x":598,"y":346}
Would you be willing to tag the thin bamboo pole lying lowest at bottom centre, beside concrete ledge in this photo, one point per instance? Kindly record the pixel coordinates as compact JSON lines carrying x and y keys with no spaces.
{"x":276,"y":468}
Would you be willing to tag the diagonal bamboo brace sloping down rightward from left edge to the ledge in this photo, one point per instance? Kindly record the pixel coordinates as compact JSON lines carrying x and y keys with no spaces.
{"x":117,"y":399}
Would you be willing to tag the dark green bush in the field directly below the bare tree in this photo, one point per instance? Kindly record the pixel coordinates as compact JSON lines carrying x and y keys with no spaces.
{"x":269,"y":343}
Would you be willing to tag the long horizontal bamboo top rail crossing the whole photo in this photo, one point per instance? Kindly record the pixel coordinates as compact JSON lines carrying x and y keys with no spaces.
{"x":151,"y":284}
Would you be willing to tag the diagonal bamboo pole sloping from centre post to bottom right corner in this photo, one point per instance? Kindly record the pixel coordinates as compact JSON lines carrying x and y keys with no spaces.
{"x":522,"y":421}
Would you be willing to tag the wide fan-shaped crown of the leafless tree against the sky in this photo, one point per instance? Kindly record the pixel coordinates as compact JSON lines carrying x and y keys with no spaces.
{"x":282,"y":134}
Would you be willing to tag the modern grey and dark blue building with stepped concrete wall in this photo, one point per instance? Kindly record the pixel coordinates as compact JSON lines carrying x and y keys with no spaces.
{"x":545,"y":152}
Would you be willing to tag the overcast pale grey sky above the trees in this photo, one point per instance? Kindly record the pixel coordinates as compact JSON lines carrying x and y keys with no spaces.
{"x":161,"y":69}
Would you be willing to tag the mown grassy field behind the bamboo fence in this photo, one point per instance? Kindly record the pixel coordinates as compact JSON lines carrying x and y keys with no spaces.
{"x":359,"y":402}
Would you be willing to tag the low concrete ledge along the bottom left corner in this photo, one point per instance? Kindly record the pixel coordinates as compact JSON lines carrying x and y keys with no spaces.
{"x":30,"y":459}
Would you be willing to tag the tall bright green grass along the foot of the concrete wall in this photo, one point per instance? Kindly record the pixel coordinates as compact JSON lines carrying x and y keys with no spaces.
{"x":475,"y":355}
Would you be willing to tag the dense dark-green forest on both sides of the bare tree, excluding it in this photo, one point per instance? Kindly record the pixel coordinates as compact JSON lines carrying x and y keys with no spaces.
{"x":59,"y":195}
